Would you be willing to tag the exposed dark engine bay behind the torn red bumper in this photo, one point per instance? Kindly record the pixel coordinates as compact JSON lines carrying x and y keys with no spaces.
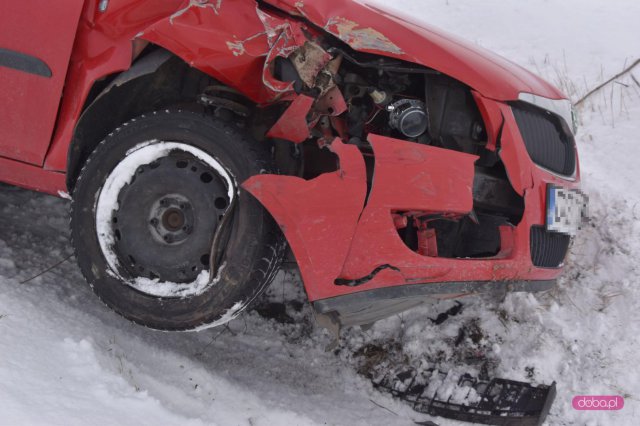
{"x":347,"y":94}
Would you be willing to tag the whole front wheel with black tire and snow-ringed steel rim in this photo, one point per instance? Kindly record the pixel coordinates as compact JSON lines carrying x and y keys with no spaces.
{"x":161,"y":229}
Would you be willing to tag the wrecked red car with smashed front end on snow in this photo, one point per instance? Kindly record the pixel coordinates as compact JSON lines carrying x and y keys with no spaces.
{"x":197,"y":138}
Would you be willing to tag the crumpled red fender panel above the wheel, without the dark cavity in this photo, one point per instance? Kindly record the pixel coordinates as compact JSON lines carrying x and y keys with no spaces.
{"x":232,"y":41}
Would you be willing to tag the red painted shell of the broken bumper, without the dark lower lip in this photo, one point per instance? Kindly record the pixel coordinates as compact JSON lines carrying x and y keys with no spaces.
{"x":345,"y":245}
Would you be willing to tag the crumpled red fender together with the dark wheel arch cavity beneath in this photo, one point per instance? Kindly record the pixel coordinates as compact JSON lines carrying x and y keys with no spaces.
{"x":203,"y":39}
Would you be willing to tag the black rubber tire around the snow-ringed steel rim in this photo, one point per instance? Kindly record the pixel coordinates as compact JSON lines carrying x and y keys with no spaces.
{"x":253,"y":248}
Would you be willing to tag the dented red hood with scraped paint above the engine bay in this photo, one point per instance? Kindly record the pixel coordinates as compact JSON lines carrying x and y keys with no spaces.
{"x":370,"y":28}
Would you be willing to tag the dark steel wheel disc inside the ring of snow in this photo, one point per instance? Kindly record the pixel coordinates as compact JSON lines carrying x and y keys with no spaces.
{"x":166,"y":218}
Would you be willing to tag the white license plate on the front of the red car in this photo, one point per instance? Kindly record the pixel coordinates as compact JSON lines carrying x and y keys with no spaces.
{"x":566,"y":209}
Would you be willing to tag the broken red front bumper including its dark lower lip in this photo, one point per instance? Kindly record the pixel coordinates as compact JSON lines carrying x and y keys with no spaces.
{"x":345,"y":238}
